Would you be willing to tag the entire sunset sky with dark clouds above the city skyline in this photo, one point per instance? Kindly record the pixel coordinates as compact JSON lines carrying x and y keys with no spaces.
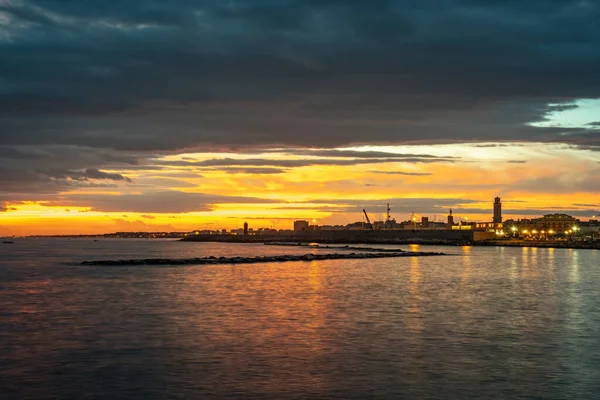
{"x":152,"y":115}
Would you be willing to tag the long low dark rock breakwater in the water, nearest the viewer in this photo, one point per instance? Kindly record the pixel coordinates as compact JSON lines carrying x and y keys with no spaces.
{"x":260,"y":259}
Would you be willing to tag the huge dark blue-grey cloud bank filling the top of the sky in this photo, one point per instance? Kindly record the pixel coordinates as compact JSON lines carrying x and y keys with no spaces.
{"x":155,"y":76}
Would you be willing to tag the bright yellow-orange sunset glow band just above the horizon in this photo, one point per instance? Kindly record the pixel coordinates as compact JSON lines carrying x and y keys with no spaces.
{"x":547,"y":177}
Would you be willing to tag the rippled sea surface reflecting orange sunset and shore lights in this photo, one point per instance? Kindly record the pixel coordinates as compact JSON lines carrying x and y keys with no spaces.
{"x":489,"y":323}
